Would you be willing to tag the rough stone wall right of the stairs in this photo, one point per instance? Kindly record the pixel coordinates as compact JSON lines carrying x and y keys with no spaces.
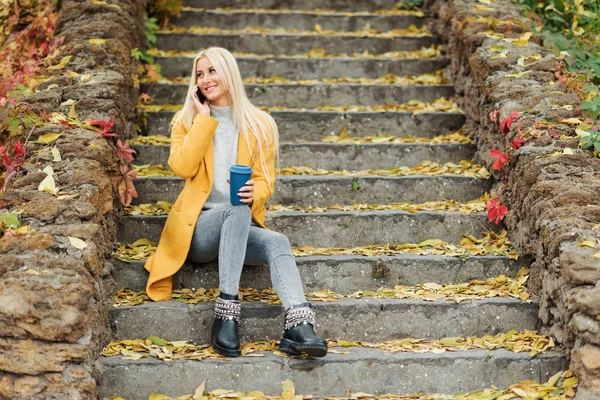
{"x":553,"y":201}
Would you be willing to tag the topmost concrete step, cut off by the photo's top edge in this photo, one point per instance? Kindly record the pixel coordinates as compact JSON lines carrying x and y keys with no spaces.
{"x":294,"y":4}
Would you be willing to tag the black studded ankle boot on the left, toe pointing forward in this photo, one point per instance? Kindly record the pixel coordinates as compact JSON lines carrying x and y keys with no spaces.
{"x":225,"y":338}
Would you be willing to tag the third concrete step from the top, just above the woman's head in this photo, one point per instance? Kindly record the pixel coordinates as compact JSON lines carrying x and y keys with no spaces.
{"x":288,"y":43}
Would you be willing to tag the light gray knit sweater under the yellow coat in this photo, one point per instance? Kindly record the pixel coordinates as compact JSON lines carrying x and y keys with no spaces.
{"x":225,"y":143}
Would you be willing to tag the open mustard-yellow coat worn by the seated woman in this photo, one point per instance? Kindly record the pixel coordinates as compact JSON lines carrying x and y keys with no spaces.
{"x":192,"y":158}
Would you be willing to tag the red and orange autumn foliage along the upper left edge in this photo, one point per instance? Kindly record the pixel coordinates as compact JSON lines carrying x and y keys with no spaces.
{"x":27,"y":47}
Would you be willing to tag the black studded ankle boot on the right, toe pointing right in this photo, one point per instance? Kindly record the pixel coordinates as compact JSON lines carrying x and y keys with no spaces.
{"x":299,"y":333}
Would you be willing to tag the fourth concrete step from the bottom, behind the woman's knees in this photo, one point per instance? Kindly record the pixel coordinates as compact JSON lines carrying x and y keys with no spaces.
{"x":341,"y":228}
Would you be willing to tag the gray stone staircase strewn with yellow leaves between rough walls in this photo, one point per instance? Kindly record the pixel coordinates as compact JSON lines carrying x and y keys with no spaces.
{"x":302,"y":128}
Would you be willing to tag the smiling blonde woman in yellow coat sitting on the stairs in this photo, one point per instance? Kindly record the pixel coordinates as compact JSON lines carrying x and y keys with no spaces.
{"x":207,"y":139}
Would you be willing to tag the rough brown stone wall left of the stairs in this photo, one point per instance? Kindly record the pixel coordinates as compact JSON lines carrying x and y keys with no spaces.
{"x":54,"y":298}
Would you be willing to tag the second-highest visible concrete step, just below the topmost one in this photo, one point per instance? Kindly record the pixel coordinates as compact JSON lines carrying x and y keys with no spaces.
{"x":293,"y":19}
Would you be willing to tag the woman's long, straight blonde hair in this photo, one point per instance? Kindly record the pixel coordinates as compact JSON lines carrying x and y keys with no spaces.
{"x":249,"y":119}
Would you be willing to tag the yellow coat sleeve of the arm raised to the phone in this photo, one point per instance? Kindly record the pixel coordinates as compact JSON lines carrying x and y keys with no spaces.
{"x":188,"y":148}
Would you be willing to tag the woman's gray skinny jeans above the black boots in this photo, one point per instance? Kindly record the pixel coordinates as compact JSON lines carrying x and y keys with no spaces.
{"x":226,"y":233}
